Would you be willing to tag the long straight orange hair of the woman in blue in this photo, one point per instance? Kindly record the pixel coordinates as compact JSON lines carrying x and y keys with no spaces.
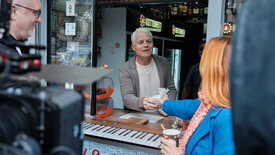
{"x":214,"y":70}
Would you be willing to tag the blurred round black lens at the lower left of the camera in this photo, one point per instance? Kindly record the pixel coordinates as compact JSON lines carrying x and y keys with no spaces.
{"x":15,"y":118}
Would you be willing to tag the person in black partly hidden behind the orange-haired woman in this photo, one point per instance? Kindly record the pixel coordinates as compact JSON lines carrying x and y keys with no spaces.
{"x":193,"y":80}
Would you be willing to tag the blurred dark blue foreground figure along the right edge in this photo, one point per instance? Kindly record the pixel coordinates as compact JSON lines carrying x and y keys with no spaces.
{"x":252,"y":75}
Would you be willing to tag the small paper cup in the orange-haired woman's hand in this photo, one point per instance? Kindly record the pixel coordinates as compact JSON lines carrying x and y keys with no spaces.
{"x":172,"y":135}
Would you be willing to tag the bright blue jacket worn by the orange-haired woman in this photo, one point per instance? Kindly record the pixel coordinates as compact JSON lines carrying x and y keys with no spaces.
{"x":214,"y":136}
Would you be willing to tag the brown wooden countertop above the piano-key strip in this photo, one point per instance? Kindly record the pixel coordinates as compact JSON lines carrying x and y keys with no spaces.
{"x":114,"y":121}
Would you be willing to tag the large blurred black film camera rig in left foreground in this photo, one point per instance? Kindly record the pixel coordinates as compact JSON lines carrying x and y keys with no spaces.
{"x":35,"y":120}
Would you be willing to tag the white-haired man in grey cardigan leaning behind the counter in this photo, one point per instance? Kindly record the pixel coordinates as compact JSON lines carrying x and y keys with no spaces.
{"x":141,"y":76}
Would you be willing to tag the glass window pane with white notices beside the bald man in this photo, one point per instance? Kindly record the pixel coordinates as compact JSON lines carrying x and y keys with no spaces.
{"x":71,"y":32}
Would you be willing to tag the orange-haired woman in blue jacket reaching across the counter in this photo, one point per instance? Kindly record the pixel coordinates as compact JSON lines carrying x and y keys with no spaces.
{"x":210,"y":130}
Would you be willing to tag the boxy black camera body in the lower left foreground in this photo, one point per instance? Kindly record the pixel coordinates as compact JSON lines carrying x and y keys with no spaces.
{"x":53,"y":117}
